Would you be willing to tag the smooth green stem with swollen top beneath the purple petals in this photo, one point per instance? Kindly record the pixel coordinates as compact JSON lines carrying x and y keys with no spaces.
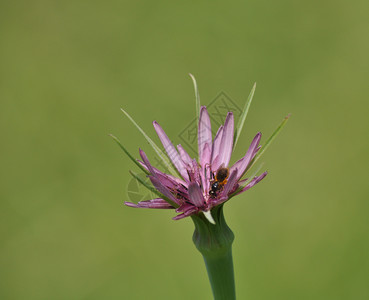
{"x":215,"y":244}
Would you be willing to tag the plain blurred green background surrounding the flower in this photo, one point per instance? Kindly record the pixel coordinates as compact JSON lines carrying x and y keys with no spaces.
{"x":66,"y":68}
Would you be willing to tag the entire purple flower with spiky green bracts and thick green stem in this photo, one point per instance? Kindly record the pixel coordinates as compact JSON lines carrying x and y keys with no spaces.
{"x":199,"y":188}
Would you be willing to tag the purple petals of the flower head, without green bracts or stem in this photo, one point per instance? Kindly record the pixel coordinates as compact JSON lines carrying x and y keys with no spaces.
{"x":207,"y":183}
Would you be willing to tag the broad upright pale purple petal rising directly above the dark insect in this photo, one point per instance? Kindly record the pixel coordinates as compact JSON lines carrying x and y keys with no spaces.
{"x":226,"y":144}
